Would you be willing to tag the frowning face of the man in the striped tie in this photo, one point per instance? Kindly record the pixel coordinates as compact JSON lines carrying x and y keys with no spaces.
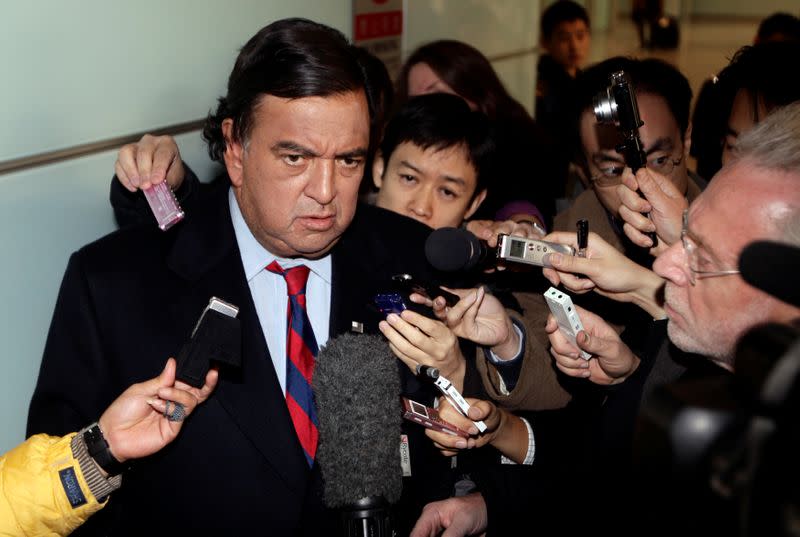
{"x":296,"y":178}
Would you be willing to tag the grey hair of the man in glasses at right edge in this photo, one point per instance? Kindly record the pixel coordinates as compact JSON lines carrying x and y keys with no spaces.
{"x":773,"y":144}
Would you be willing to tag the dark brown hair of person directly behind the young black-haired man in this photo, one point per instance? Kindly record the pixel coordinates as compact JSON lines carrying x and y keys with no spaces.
{"x":468,"y":72}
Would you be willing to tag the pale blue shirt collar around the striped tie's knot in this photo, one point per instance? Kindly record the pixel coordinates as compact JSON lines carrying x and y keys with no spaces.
{"x":255,"y":257}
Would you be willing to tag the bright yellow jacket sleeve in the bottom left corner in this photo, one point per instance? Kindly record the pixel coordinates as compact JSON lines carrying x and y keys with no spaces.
{"x":37,"y":480}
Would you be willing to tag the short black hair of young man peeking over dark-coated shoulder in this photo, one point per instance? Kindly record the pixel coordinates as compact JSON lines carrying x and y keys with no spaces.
{"x":442,"y":121}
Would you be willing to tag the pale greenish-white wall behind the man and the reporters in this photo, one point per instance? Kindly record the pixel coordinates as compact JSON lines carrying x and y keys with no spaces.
{"x":89,"y":70}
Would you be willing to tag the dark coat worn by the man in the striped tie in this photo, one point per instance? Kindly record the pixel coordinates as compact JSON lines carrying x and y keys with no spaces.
{"x":130,"y":300}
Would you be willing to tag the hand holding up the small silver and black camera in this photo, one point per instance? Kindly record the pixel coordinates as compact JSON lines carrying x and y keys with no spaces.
{"x":664,"y":203}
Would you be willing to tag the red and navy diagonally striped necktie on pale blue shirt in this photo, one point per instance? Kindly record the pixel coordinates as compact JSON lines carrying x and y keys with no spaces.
{"x":301,"y":349}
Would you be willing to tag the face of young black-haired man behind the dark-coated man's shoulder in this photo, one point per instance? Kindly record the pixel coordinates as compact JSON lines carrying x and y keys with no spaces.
{"x":434,"y":186}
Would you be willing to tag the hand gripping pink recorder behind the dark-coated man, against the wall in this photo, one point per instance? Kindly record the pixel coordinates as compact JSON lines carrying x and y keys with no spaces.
{"x":148,"y":162}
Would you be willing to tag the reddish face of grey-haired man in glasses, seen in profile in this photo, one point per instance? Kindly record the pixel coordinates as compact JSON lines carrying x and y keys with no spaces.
{"x":740,"y":205}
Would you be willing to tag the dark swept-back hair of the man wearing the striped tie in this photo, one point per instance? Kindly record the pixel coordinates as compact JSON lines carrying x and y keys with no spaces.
{"x":290,"y":58}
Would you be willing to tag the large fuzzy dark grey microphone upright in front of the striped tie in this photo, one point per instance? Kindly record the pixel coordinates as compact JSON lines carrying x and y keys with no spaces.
{"x":357,"y":390}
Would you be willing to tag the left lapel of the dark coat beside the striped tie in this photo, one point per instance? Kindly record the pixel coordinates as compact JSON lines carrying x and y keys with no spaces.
{"x":206,"y":255}
